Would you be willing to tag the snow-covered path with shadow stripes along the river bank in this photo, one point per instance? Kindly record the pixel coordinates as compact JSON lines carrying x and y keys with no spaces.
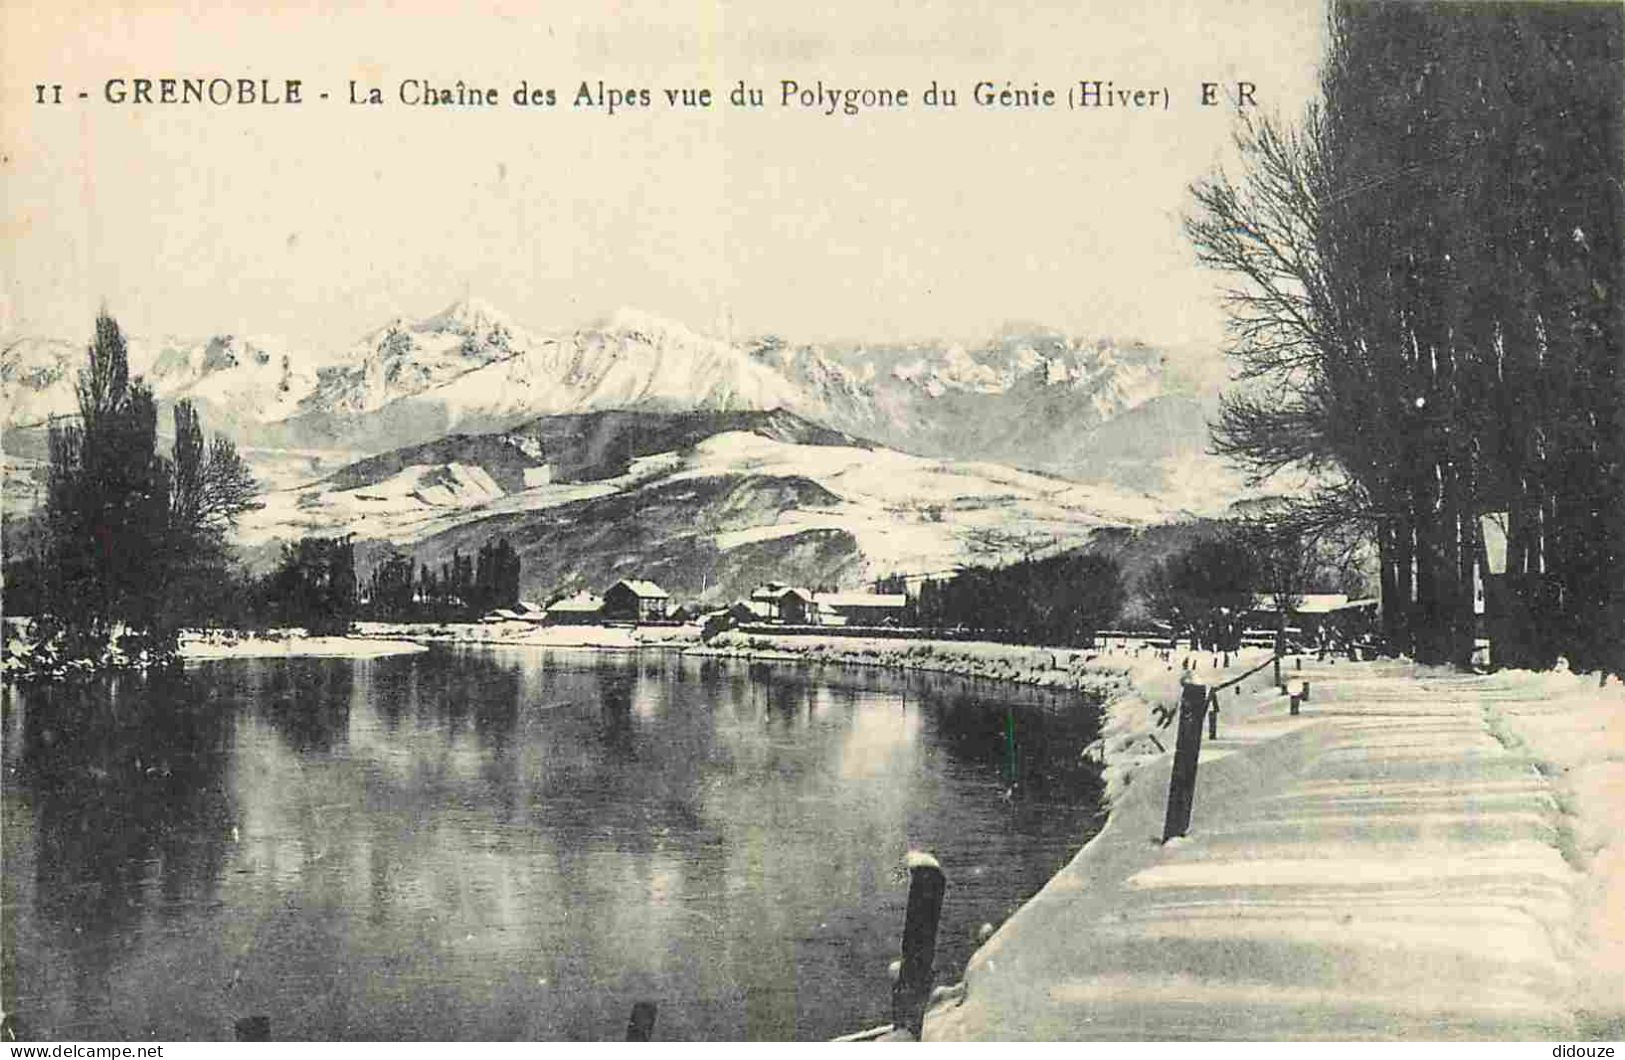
{"x":1389,"y":866}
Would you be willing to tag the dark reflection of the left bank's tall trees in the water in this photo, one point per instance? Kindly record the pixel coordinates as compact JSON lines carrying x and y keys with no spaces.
{"x":124,"y":835}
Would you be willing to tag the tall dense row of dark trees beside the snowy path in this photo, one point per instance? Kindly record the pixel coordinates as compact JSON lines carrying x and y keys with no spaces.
{"x":1428,"y":318}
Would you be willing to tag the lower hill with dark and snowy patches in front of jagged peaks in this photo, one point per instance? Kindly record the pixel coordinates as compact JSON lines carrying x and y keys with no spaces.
{"x":704,"y":498}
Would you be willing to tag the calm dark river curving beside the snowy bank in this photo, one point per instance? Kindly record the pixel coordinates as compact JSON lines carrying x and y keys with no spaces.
{"x":513,"y":845}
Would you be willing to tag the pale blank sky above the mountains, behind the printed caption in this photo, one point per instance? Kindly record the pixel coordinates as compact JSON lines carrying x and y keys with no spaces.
{"x":321,"y":222}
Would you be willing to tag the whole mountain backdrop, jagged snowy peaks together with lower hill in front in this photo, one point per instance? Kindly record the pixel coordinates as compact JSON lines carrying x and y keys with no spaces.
{"x":841,"y":461}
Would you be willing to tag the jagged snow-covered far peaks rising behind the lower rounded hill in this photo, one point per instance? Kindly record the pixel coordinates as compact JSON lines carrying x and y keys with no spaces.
{"x":1031,"y":397}
